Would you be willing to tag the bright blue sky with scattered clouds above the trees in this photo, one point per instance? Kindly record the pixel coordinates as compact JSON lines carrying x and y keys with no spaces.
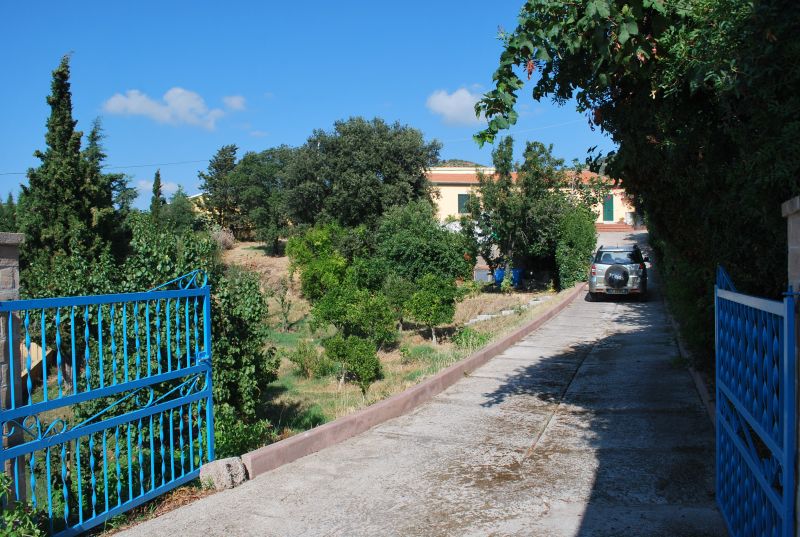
{"x":174,"y":81}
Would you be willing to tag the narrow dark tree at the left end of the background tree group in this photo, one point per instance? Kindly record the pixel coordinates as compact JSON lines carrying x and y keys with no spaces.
{"x":219,"y":197}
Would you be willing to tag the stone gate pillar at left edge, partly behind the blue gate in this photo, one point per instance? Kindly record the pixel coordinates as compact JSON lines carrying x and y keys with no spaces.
{"x":9,"y":343}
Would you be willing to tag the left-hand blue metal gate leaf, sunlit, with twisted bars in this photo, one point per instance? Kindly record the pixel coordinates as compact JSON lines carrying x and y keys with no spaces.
{"x":117,"y":410}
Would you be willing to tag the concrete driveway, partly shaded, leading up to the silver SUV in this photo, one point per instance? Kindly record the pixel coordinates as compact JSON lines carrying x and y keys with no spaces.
{"x":586,"y":427}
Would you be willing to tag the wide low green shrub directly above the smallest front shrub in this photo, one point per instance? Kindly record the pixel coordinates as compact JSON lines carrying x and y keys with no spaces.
{"x":357,"y":312}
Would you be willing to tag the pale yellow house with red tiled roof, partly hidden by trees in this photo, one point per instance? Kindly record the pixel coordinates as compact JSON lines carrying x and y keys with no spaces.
{"x":454,"y":184}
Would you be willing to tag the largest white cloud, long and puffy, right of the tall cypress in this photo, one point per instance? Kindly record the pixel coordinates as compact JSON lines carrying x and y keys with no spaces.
{"x":176,"y":106}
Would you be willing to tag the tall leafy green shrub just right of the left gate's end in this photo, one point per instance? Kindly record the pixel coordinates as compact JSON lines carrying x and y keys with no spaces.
{"x":243,"y":364}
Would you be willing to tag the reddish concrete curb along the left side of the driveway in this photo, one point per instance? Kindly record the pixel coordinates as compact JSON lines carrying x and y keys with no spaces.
{"x":270,"y":457}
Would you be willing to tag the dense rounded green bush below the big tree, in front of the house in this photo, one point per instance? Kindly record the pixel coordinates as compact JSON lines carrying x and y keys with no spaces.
{"x":412,"y":242}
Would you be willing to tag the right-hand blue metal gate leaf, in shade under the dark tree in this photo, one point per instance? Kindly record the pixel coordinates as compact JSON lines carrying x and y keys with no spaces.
{"x":756,"y":421}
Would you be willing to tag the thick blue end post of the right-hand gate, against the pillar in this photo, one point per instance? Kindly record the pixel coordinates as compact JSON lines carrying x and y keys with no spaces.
{"x":790,"y":422}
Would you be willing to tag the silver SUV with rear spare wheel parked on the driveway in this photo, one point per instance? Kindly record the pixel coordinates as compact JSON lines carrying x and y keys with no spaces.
{"x":618,"y":270}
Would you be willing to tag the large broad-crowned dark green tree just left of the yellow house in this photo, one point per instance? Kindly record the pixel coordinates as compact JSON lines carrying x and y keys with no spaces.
{"x":356,"y":172}
